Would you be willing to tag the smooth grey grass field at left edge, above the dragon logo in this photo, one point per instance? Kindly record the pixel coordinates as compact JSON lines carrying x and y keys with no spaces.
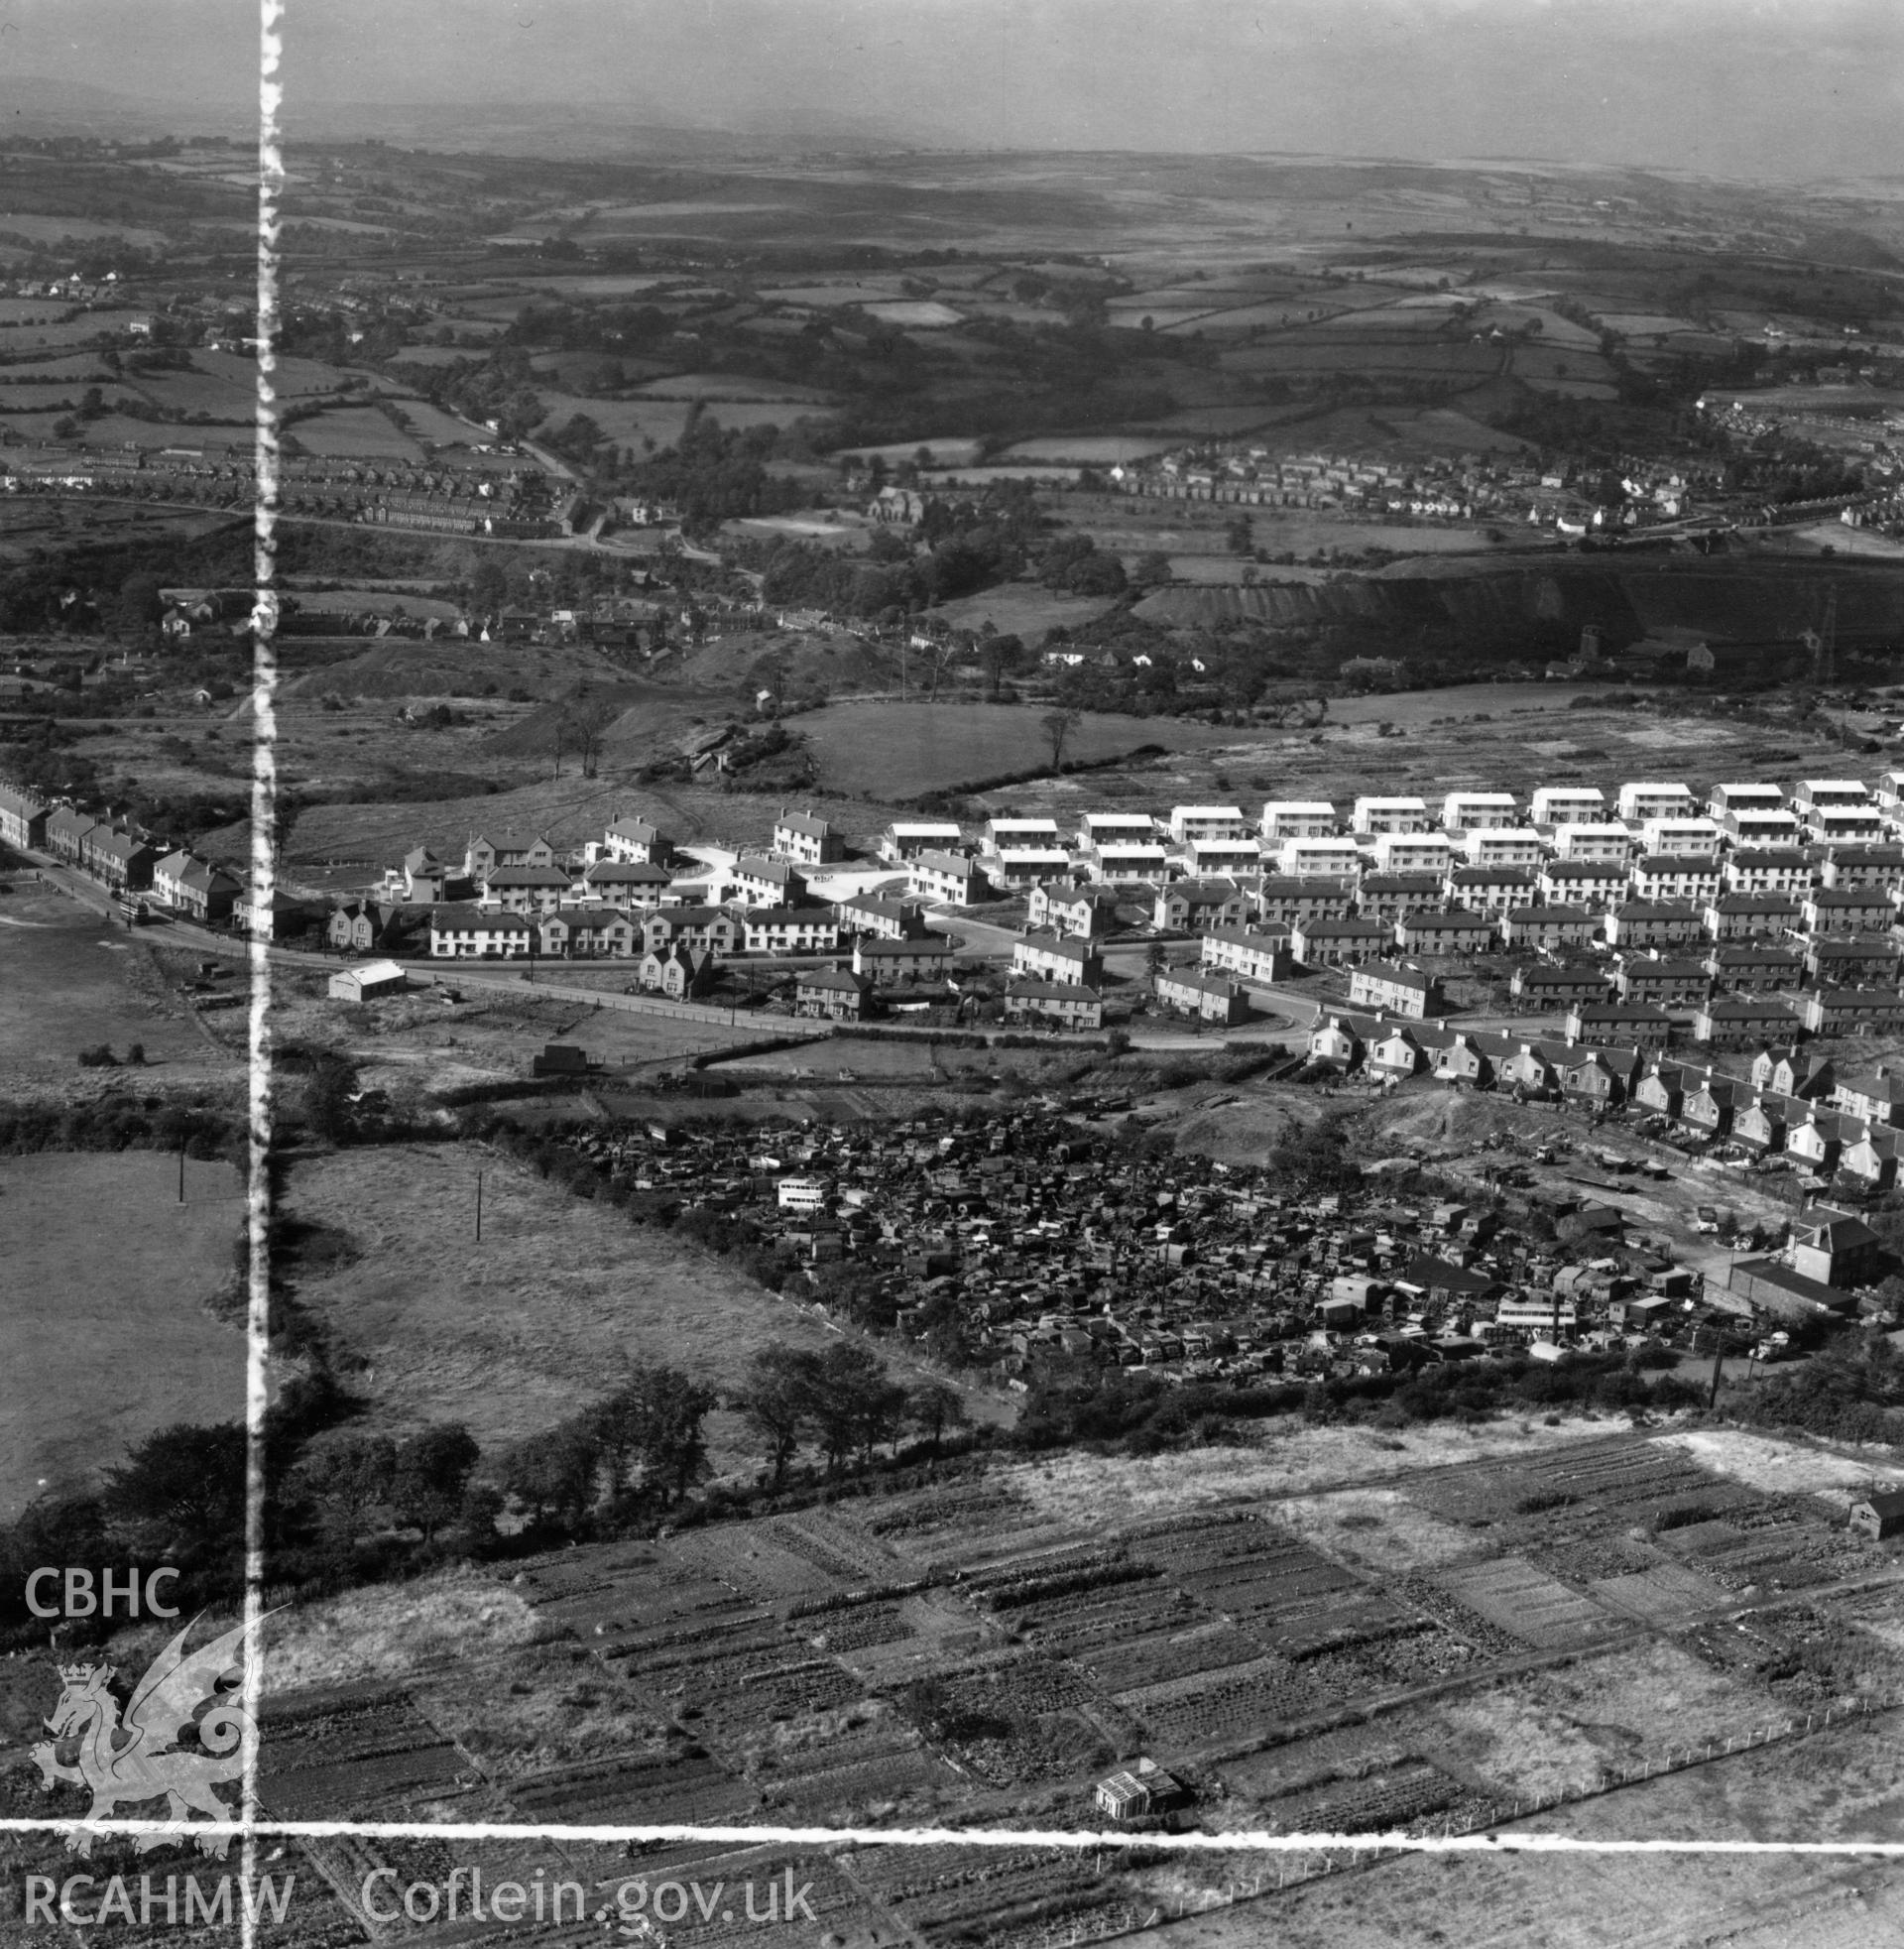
{"x":106,"y":1326}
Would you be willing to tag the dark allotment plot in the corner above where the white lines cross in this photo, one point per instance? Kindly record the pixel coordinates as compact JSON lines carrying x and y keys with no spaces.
{"x":348,"y":1749}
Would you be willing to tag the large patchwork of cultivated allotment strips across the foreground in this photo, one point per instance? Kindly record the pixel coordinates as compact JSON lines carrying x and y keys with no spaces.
{"x":1591,"y":1617}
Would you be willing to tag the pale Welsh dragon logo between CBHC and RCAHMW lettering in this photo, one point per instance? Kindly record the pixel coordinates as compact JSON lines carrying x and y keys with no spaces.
{"x":137,"y":1757}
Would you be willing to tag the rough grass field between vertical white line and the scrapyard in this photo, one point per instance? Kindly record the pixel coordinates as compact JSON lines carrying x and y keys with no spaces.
{"x":537,"y":1320}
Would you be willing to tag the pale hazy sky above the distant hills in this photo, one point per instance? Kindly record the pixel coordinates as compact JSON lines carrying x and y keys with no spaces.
{"x":1730,"y":89}
